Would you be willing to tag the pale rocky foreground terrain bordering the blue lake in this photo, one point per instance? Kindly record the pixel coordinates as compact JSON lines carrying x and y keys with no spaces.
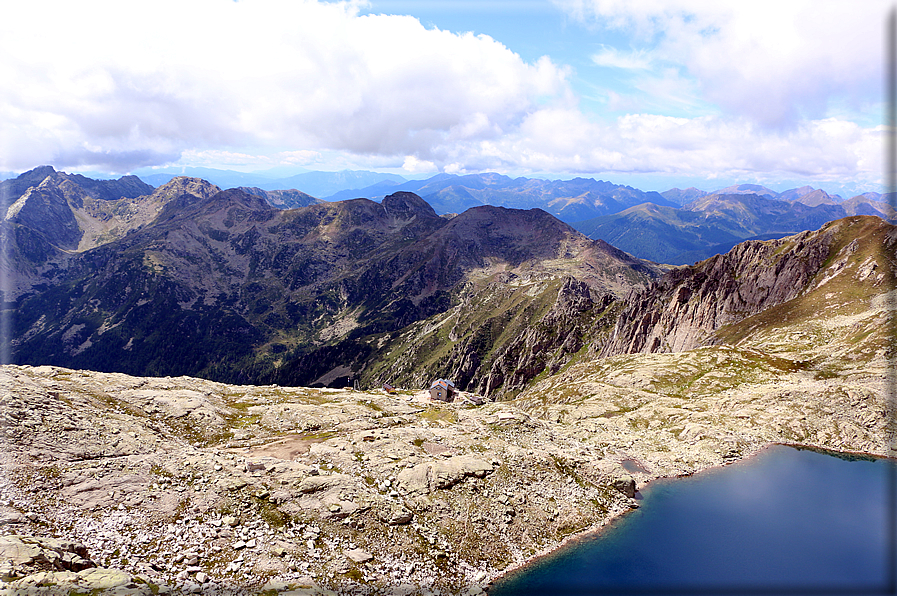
{"x":120,"y":484}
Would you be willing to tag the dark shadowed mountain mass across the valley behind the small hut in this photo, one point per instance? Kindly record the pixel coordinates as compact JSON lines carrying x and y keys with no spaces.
{"x":221,"y":284}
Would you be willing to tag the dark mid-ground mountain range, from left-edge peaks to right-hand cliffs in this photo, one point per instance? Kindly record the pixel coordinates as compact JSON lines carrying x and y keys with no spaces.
{"x":190,"y":279}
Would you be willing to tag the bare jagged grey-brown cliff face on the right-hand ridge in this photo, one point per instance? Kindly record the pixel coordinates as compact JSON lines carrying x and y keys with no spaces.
{"x":686,"y":307}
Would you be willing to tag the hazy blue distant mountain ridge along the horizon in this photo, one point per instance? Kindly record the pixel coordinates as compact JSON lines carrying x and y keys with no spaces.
{"x":676,"y":227}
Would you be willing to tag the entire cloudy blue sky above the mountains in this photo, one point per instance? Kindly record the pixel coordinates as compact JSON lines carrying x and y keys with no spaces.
{"x":651,"y":93}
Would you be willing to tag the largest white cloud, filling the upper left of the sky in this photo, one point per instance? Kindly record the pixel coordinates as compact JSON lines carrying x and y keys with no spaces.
{"x":169,"y":76}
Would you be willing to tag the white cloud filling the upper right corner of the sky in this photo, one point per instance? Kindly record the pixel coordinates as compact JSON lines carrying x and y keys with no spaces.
{"x":775,"y":63}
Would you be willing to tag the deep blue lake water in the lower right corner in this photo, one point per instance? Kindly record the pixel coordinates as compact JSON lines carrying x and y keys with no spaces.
{"x":788,"y":521}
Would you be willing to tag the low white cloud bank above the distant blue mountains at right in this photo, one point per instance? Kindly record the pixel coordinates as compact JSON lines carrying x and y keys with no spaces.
{"x":707,"y":147}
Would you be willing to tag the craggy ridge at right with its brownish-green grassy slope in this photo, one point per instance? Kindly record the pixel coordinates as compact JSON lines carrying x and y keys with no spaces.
{"x":687,"y":307}
